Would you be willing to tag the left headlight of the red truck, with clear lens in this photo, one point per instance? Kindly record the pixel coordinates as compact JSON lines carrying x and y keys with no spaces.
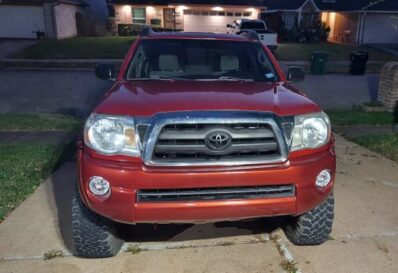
{"x":111,"y":135}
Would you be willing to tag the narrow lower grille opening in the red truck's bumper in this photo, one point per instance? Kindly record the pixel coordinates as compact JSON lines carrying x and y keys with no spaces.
{"x":210,"y":194}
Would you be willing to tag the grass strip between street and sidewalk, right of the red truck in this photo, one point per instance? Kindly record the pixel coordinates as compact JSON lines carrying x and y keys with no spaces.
{"x":357,"y":116}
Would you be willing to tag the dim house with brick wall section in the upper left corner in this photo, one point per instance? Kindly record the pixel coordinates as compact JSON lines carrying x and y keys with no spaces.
{"x":57,"y":19}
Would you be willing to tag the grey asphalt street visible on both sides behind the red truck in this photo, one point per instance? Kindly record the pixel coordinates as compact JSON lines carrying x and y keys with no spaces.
{"x":75,"y":92}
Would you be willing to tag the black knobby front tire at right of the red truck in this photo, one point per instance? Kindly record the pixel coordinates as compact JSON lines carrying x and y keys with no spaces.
{"x":313,"y":227}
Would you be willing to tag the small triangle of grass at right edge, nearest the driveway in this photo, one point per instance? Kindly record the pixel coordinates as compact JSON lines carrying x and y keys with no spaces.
{"x":386,"y":145}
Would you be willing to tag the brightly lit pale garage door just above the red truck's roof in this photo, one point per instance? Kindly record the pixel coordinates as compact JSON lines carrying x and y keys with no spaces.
{"x":209,"y":23}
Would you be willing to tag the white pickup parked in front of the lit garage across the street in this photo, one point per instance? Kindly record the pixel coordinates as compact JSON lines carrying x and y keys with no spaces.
{"x":267,"y":37}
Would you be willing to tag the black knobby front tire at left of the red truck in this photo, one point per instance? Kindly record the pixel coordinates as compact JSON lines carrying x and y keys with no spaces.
{"x":93,"y":235}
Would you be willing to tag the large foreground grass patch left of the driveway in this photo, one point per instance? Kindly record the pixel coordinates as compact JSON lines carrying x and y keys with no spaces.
{"x":22,"y":168}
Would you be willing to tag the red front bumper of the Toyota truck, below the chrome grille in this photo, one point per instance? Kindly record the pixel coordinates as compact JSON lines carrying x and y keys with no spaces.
{"x":126,"y":177}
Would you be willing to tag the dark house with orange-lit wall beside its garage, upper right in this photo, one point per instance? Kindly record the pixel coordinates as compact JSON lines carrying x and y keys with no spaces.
{"x":351,"y":21}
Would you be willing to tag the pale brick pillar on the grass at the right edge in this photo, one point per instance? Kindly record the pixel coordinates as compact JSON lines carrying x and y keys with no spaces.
{"x":388,"y":86}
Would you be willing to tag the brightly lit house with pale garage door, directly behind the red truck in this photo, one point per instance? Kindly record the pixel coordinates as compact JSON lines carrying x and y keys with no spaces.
{"x":194,"y":15}
